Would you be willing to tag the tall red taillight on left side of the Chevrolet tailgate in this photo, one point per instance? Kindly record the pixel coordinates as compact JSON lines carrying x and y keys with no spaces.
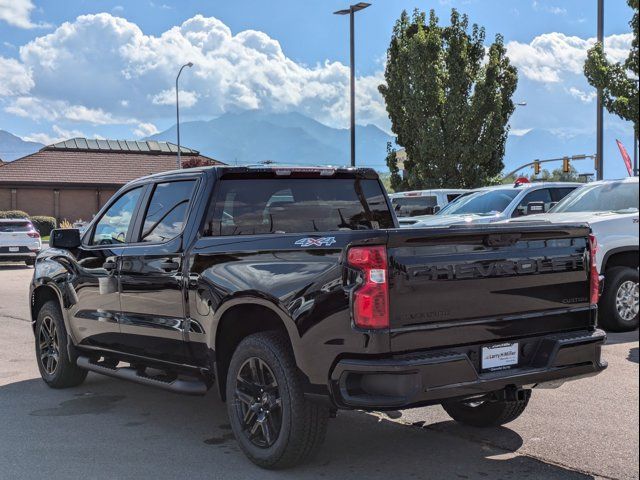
{"x":371,"y":299}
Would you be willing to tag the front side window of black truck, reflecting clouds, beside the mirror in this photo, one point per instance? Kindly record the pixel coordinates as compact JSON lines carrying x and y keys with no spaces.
{"x":113,"y":226}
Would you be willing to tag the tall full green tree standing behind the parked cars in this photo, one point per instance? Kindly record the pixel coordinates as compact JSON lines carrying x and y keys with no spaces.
{"x":449,"y":101}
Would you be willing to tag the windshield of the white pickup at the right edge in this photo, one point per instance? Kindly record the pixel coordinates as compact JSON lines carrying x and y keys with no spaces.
{"x":601,"y":197}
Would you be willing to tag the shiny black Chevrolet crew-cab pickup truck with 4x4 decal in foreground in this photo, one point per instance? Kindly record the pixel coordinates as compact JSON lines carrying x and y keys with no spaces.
{"x":294,"y":294}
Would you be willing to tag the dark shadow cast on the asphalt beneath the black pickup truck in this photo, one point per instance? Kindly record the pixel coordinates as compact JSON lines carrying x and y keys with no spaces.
{"x":112,"y":429}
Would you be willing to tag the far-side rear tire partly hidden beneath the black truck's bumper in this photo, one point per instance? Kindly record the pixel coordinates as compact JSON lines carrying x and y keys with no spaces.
{"x":486,"y":414}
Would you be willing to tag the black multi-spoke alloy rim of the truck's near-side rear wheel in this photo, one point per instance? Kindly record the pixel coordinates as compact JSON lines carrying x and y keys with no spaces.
{"x":258,"y":406}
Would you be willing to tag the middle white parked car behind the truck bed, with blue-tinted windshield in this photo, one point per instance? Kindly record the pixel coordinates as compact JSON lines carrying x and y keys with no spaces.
{"x":495,"y":204}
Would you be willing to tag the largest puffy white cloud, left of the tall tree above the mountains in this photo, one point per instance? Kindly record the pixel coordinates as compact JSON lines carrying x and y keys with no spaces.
{"x":97,"y":60}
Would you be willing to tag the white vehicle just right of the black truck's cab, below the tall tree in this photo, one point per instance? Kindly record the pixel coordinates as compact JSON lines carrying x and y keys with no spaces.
{"x":407,"y":205}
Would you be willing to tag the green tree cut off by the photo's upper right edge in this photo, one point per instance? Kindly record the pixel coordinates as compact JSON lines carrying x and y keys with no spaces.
{"x":618,"y":81}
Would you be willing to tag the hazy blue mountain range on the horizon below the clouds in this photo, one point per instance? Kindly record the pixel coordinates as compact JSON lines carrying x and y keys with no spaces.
{"x":292,"y":138}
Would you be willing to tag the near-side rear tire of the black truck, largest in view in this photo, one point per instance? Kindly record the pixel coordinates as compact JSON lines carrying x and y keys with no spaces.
{"x":297,"y":426}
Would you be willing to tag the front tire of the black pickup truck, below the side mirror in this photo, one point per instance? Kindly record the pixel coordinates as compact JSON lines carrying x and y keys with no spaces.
{"x":56,"y":369}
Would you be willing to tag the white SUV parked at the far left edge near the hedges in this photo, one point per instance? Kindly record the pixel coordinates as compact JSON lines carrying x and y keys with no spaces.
{"x":19,"y":241}
